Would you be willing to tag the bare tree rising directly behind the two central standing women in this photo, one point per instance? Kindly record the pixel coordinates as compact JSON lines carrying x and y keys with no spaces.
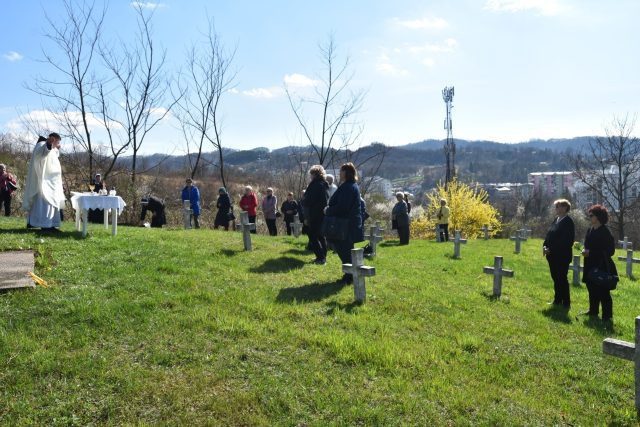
{"x":335,"y":104}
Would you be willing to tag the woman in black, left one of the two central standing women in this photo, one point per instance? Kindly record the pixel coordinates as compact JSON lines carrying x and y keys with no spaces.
{"x":315,"y":200}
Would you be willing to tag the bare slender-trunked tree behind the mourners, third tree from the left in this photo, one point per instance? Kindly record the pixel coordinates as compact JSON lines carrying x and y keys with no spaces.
{"x":208,"y":76}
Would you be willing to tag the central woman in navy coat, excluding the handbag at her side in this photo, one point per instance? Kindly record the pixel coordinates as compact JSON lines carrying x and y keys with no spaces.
{"x":345,"y":203}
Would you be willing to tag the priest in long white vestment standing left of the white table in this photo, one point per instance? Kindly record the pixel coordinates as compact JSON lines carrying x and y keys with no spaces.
{"x":43,"y":195}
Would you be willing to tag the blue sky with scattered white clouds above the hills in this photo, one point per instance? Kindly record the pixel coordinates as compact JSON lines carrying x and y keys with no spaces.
{"x":522,"y":69}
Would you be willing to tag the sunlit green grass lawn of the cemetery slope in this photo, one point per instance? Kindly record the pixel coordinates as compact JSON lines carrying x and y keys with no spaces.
{"x":182,"y":327}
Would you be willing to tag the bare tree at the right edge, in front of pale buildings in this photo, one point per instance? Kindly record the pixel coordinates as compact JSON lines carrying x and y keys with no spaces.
{"x":611,"y":168}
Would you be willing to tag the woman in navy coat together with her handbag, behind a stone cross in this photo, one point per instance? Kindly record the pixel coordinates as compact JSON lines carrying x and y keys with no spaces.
{"x":343,"y":217}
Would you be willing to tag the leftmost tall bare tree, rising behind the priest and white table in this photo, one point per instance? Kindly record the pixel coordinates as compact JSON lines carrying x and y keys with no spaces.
{"x":72,"y":90}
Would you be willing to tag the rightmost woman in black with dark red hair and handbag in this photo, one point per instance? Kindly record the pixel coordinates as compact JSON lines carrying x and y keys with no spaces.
{"x":600,"y":273}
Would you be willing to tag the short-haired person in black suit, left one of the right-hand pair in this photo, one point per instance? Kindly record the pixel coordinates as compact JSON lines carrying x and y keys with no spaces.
{"x":557,"y":248}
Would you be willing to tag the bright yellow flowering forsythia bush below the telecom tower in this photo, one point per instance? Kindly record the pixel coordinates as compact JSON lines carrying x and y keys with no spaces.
{"x":470,"y":211}
